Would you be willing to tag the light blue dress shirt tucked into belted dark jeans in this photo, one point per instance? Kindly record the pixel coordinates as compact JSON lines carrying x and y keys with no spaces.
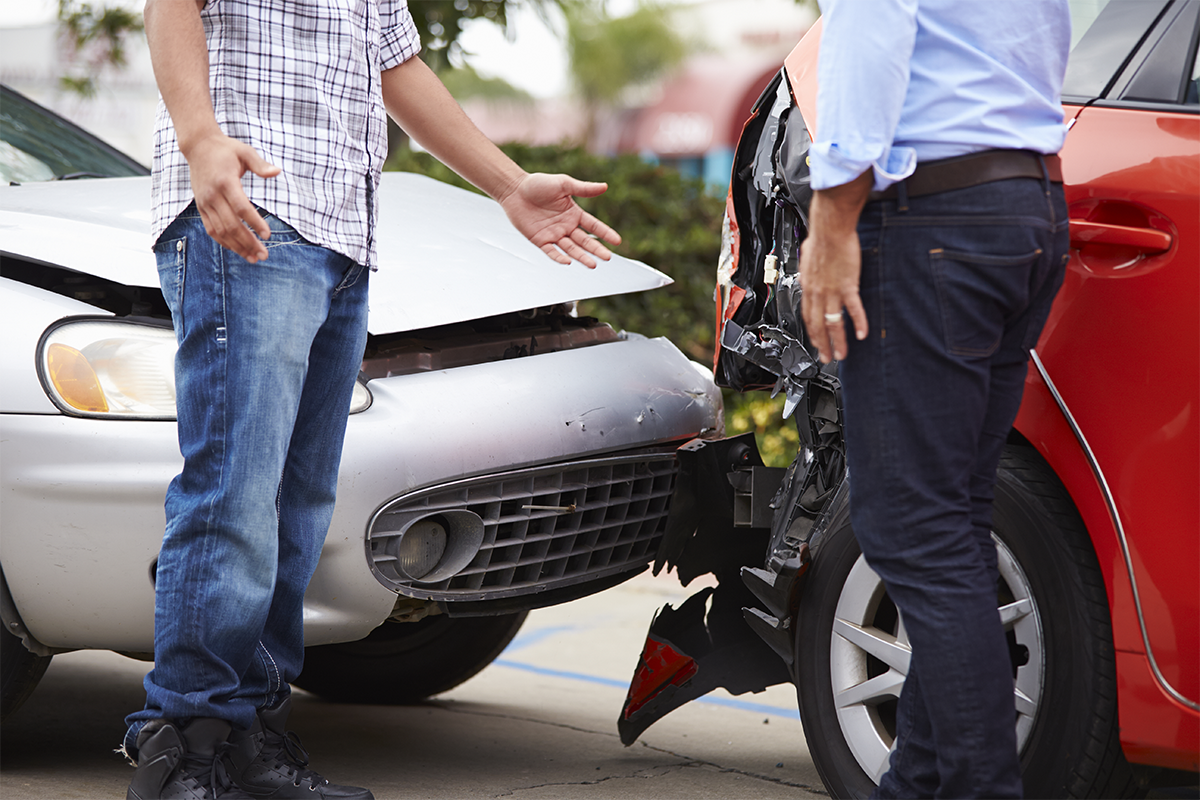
{"x":909,"y":81}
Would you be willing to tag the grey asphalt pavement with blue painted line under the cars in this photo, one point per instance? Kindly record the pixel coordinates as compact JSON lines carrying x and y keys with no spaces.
{"x":538,"y":725}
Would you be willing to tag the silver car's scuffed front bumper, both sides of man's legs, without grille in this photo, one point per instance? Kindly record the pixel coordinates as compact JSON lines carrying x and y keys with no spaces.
{"x":85,"y":509}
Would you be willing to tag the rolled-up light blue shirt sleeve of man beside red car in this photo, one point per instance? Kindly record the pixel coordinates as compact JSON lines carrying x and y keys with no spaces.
{"x":863,"y":76}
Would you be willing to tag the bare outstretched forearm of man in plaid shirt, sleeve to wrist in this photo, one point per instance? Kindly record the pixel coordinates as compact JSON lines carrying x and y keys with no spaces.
{"x":422,"y":106}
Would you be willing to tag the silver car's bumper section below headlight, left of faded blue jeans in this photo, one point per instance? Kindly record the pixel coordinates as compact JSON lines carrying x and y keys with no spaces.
{"x":83,"y":520}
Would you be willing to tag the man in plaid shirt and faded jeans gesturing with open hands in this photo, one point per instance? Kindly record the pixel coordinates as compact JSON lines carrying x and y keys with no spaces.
{"x":268,"y":154}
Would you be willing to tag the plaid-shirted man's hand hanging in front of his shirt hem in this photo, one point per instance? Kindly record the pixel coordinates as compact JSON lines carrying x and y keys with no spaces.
{"x":218,"y":164}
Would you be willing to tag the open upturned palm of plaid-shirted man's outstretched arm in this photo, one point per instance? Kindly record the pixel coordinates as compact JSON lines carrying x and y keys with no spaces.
{"x":541,"y":207}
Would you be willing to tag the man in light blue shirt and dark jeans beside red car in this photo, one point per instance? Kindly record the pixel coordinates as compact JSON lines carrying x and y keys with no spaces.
{"x":938,"y":239}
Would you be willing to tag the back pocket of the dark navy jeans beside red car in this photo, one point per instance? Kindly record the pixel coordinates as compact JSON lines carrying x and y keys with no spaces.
{"x":977,"y":294}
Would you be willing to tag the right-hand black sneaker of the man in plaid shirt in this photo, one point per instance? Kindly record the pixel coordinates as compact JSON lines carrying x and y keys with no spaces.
{"x":269,"y":762}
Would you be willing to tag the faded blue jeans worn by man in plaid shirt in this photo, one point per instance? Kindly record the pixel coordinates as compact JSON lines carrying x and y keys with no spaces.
{"x":268,"y":357}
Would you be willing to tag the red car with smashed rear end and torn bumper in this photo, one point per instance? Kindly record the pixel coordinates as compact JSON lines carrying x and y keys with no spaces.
{"x":1099,"y":495}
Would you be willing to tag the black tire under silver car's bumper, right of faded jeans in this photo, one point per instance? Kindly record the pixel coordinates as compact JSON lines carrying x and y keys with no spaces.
{"x":406,"y":663}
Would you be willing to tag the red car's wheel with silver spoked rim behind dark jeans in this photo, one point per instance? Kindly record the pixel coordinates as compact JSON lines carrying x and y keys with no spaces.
{"x":1060,"y":636}
